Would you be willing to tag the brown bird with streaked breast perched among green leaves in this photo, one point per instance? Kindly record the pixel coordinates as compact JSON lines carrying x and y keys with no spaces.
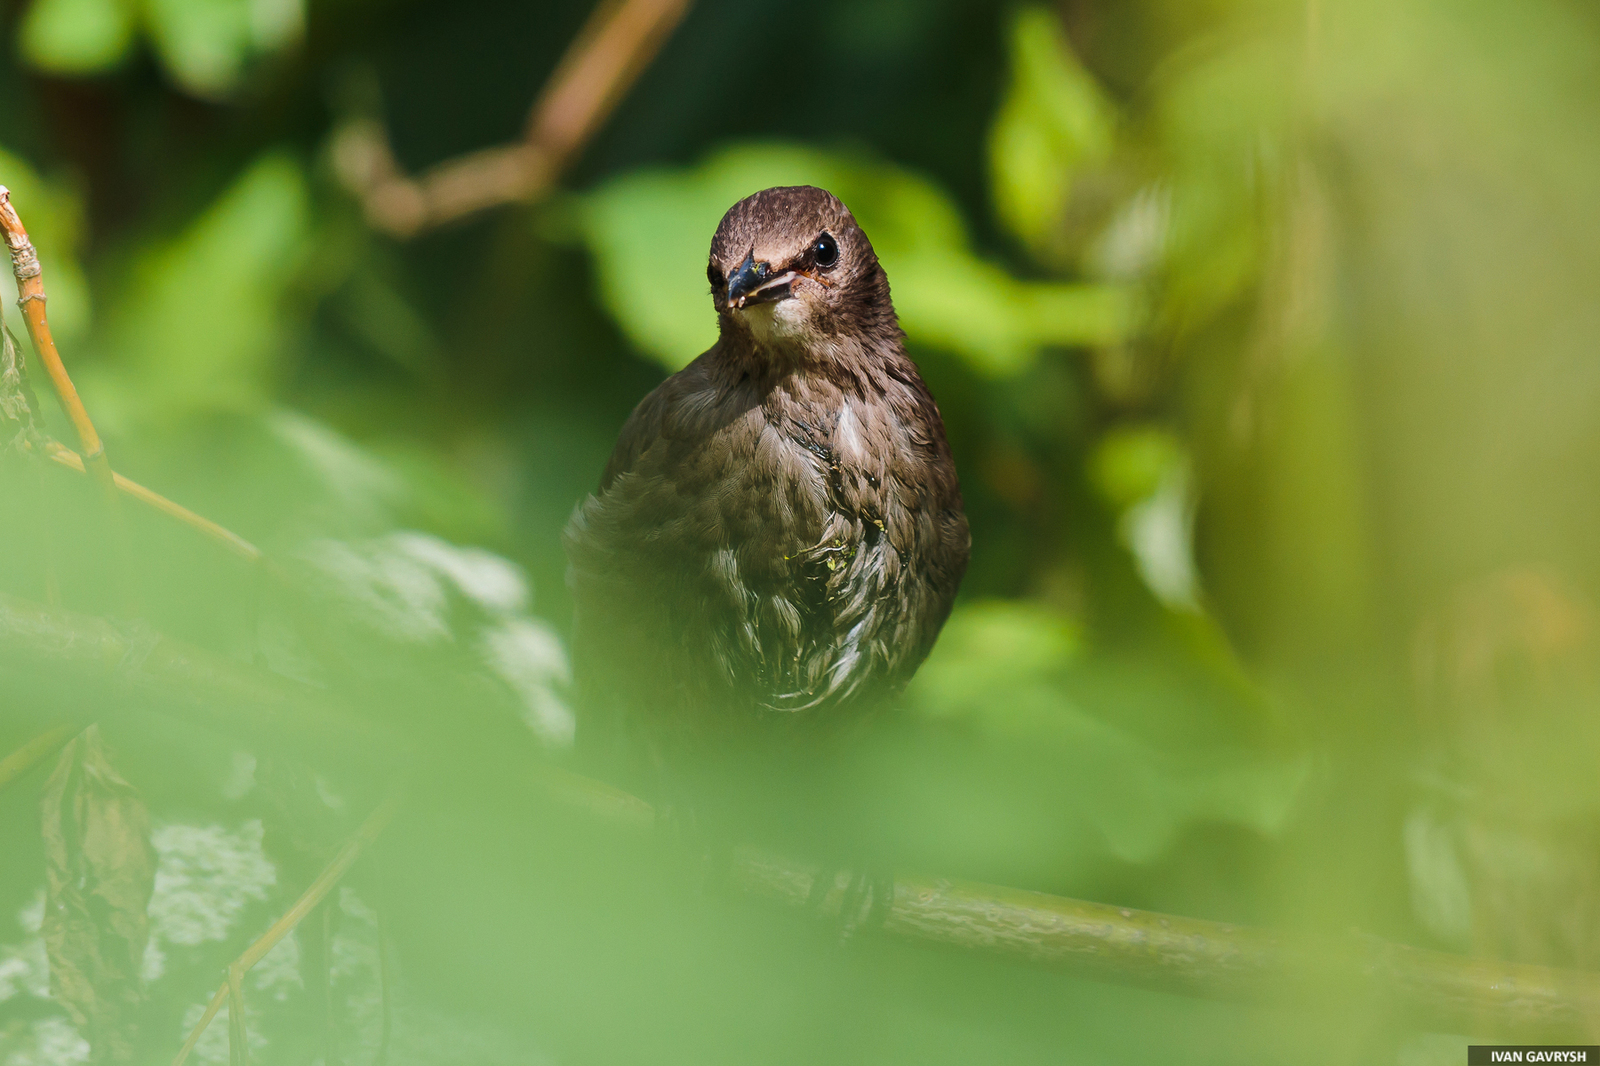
{"x":778,"y":535}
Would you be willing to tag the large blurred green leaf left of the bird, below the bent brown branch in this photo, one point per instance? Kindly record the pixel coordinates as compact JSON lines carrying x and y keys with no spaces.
{"x":202,"y":321}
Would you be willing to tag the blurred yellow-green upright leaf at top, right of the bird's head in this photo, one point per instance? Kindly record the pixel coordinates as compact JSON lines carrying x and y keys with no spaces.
{"x":1054,"y":121}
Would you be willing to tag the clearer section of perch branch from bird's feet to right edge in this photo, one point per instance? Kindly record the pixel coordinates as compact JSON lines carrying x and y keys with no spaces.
{"x":1214,"y":960}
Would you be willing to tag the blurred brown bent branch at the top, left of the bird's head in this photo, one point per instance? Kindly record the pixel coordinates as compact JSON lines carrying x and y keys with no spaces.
{"x":602,"y":63}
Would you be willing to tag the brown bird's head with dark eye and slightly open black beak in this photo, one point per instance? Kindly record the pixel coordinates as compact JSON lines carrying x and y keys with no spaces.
{"x":791,"y":270}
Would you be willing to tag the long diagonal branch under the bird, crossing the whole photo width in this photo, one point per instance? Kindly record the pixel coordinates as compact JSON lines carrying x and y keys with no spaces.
{"x":1121,"y":945}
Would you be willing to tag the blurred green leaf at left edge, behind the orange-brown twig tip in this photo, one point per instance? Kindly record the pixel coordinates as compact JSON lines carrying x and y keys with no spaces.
{"x":54,"y":215}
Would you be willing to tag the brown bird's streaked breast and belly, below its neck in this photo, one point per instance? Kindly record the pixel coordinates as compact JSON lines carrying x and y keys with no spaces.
{"x":782,"y":548}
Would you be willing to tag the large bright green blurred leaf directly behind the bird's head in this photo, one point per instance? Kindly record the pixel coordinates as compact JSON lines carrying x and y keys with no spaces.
{"x":650,"y":234}
